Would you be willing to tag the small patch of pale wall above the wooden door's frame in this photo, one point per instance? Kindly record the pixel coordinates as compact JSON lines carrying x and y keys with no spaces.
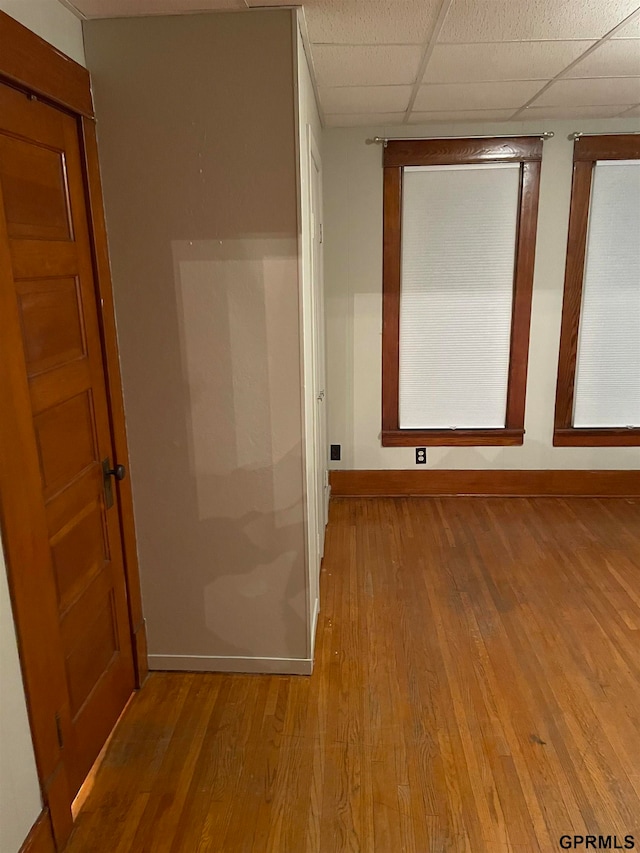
{"x":51,"y":21}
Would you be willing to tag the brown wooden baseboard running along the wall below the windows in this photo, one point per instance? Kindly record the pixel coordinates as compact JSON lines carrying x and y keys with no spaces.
{"x":505,"y":483}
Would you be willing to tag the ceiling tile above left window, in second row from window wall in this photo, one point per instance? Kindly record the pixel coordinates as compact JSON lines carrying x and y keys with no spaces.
{"x":472,"y":96}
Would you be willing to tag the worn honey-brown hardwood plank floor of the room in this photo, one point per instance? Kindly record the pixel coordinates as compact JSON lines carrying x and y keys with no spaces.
{"x":477,"y":688}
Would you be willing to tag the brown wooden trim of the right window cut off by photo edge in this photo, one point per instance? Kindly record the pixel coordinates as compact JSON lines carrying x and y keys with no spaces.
{"x":586,"y":151}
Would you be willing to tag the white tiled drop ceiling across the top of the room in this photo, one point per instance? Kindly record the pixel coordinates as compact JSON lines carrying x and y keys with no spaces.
{"x":405,"y":61}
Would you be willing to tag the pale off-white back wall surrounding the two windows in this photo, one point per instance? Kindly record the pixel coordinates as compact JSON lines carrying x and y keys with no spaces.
{"x":353,"y":287}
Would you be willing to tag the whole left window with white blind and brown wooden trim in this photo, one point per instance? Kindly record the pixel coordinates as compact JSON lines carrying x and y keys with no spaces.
{"x":459,"y":242}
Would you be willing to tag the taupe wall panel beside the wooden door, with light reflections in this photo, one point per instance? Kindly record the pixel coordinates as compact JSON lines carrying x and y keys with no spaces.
{"x":196,"y":131}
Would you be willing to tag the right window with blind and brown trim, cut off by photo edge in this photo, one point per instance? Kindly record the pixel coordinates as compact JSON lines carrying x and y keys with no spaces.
{"x":598,"y":390}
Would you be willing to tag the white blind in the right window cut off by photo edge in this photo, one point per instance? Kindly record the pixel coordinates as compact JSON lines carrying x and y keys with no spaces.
{"x":607,"y":389}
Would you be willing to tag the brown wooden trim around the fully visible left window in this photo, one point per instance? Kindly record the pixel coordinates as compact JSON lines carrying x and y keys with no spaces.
{"x":526,"y":150}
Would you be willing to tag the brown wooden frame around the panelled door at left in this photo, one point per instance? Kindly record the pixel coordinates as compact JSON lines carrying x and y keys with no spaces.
{"x":33,"y":66}
